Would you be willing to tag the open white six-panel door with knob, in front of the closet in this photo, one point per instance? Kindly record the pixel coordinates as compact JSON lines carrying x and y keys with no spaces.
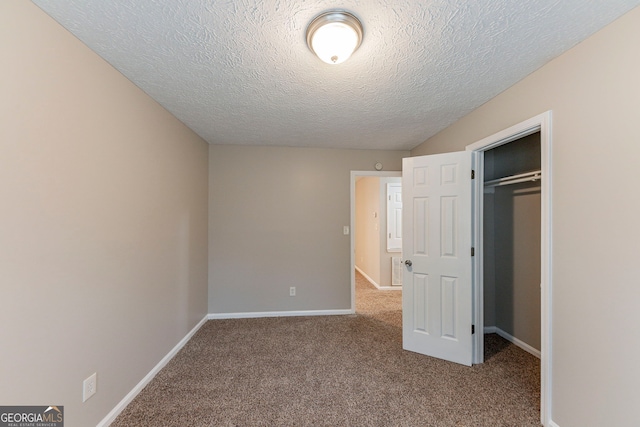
{"x":436,"y":246}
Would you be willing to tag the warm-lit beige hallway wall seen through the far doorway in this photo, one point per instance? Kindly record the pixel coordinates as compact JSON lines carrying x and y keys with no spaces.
{"x":367,"y":227}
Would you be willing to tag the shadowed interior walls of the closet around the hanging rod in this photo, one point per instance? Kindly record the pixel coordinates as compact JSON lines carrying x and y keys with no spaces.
{"x":512,"y":242}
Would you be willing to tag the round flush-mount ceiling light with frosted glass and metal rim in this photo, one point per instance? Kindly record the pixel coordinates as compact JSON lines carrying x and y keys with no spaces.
{"x":334,"y":36}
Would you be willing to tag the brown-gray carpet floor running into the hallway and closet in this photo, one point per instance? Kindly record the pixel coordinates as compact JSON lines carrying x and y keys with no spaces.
{"x":334,"y":371}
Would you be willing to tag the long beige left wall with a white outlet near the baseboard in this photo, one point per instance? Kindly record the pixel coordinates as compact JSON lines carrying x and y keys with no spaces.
{"x":103,"y":249}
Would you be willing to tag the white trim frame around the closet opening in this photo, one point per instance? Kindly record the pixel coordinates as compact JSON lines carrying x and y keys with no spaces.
{"x":541,"y":123}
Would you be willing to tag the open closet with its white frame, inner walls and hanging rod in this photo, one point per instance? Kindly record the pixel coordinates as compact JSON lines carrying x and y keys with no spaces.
{"x":518,"y":231}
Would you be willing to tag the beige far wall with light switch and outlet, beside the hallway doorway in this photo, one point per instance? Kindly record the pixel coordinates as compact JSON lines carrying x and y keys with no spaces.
{"x":276,"y":219}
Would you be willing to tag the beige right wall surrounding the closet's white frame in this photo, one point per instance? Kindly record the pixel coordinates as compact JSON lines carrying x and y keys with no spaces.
{"x":594,"y":92}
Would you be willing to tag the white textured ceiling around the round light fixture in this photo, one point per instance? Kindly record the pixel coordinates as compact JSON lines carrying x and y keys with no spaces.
{"x":239,"y":71}
